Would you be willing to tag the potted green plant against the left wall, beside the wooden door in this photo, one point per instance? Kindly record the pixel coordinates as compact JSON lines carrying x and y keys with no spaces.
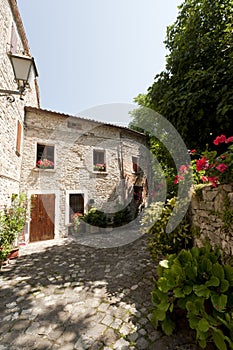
{"x":12,"y":222}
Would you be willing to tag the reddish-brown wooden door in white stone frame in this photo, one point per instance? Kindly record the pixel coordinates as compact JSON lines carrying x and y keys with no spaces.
{"x":42,"y":217}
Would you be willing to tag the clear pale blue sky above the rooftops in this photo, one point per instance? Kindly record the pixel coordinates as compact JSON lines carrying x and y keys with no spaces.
{"x":94,"y":52}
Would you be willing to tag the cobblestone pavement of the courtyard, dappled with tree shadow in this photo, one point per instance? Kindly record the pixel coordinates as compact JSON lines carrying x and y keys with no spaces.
{"x":63,"y":295}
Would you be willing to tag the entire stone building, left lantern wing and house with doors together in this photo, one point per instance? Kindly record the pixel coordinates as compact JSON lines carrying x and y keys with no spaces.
{"x":65,"y":164}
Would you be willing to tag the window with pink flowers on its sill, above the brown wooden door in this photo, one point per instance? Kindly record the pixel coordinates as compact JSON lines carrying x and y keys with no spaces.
{"x":45,"y":156}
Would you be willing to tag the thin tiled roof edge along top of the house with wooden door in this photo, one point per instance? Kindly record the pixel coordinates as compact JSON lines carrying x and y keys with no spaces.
{"x":43,"y":111}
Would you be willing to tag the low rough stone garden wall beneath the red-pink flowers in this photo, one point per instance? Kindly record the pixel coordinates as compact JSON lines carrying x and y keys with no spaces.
{"x":212,"y":215}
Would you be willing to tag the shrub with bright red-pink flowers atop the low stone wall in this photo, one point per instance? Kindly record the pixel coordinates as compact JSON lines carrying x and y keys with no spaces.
{"x":210,"y":167}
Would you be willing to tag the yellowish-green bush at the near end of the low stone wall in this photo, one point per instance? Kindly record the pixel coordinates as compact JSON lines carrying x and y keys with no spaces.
{"x":159,"y":241}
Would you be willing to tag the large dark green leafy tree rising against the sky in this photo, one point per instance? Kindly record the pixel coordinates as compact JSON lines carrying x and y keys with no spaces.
{"x":195,"y":92}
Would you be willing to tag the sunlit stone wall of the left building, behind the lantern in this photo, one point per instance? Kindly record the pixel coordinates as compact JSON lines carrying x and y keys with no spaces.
{"x":12,"y":114}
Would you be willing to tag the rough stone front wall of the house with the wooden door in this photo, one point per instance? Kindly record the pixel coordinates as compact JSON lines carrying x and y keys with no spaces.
{"x":75,"y":140}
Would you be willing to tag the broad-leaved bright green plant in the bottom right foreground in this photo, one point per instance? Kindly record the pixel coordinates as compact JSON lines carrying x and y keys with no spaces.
{"x":196,"y":281}
